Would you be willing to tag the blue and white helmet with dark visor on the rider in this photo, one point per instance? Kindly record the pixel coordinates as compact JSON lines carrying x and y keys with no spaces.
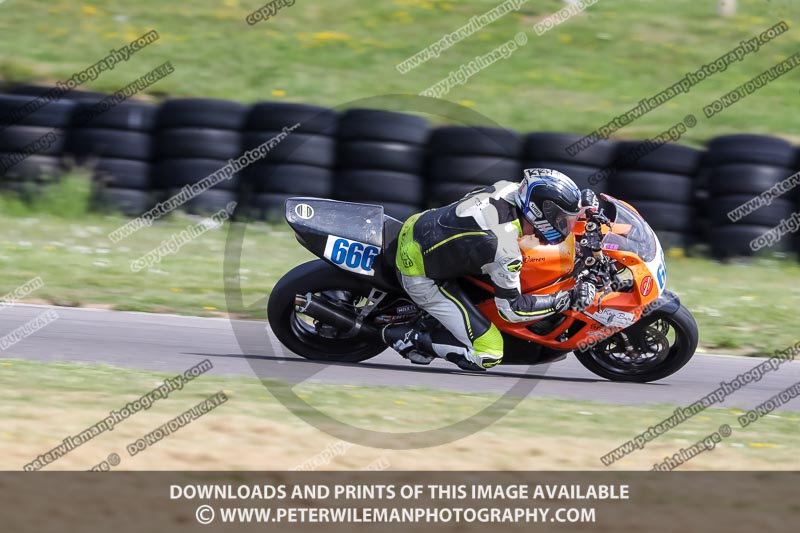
{"x":550,"y":201}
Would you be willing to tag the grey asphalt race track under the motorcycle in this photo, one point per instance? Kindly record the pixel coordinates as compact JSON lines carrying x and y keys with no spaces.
{"x":172,"y":344}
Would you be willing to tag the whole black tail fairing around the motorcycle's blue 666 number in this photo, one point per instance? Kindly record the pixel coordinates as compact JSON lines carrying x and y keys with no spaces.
{"x":363,"y":223}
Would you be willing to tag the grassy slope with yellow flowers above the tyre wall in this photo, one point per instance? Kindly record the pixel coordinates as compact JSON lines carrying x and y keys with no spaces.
{"x":573,"y":78}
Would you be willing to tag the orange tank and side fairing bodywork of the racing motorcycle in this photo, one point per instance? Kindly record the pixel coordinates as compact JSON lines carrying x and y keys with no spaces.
{"x":547,"y":268}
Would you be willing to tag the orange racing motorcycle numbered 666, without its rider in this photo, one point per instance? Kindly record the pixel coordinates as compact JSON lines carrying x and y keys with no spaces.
{"x":333,"y":308}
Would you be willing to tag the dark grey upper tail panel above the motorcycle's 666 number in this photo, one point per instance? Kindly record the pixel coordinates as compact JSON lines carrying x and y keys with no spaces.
{"x":357,"y":222}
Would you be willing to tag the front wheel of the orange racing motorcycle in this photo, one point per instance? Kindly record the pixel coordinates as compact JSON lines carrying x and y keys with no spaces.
{"x":664,"y":342}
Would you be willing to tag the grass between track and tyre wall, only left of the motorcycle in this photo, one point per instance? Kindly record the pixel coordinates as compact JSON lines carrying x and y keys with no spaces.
{"x":81,"y":266}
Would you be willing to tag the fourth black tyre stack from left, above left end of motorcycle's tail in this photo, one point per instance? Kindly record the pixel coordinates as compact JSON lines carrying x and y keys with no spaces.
{"x":301,"y":164}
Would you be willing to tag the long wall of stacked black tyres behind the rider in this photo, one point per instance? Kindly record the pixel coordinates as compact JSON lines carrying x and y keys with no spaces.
{"x":140,"y":153}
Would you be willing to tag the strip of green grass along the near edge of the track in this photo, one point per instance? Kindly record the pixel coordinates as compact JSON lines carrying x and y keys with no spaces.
{"x":99,"y":389}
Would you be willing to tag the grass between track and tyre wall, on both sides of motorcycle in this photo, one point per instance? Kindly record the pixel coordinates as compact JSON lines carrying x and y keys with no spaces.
{"x":742,"y":308}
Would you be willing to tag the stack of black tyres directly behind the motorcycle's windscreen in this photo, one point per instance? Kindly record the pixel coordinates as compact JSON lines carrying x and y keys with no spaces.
{"x":661,"y":185}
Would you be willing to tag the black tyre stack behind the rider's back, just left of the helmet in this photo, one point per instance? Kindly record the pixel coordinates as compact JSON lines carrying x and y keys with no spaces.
{"x":462,"y":159}
